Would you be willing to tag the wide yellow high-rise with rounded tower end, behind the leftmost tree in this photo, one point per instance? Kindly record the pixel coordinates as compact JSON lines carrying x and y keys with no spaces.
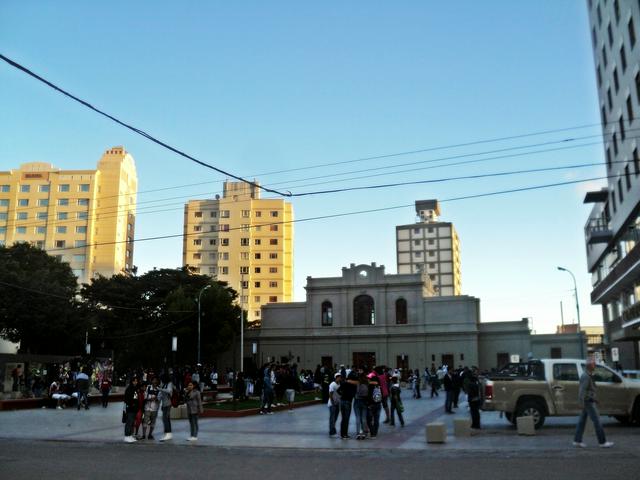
{"x":84,"y":217}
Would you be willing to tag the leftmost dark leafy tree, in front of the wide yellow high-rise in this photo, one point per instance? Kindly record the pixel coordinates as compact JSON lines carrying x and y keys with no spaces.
{"x":37,"y":307}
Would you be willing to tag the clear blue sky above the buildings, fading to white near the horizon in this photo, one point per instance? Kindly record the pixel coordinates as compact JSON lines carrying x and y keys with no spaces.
{"x":260,"y":87}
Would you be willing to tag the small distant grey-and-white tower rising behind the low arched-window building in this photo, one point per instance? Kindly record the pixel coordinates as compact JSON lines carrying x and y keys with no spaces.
{"x":432,"y":247}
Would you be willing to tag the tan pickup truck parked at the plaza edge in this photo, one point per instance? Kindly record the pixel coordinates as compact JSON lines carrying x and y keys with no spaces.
{"x":549,"y":387}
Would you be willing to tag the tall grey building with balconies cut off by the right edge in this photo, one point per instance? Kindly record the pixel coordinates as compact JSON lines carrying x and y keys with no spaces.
{"x":612,"y":230}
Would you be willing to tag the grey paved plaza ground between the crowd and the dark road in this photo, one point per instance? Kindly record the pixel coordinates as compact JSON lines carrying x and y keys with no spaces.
{"x":307,"y":428}
